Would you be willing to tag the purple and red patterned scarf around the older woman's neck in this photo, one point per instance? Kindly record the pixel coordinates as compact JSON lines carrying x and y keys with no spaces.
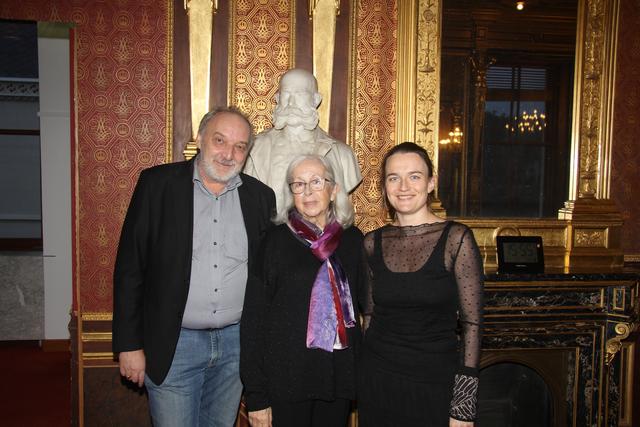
{"x":331,"y":306}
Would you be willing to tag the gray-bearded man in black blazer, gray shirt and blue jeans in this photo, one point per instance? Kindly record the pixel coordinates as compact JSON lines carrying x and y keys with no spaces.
{"x":186,"y":252}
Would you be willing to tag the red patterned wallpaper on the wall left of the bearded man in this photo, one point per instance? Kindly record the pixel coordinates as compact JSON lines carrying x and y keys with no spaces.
{"x":121,"y":103}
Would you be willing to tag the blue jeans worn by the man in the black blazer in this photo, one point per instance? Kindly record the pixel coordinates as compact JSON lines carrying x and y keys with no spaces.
{"x":203,"y":385}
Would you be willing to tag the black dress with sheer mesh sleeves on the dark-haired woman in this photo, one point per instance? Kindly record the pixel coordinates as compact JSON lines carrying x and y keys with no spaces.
{"x":421,"y":351}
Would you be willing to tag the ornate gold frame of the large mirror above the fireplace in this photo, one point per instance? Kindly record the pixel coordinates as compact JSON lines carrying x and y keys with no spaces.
{"x":586,"y":234}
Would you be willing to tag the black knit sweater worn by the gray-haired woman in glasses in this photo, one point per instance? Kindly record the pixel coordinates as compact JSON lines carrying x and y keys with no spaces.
{"x":275,"y":364}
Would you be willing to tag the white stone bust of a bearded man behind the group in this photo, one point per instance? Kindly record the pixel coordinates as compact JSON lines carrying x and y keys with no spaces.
{"x":295,"y":131}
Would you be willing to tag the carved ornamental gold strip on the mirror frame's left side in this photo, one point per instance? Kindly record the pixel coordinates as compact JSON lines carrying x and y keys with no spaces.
{"x":428,"y":77}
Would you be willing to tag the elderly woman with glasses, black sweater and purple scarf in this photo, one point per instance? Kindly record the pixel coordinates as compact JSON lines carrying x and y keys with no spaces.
{"x":300,"y":327}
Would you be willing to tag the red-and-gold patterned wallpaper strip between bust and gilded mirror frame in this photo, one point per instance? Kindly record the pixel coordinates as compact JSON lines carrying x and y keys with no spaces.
{"x":374,"y":109}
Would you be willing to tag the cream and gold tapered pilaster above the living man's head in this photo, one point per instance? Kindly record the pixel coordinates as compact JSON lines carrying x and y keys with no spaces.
{"x":200,"y":14}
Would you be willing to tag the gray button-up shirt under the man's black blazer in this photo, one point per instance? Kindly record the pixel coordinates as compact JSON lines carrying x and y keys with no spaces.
{"x":219,"y":258}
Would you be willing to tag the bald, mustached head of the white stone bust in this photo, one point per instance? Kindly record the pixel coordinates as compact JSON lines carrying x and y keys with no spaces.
{"x":297,"y":101}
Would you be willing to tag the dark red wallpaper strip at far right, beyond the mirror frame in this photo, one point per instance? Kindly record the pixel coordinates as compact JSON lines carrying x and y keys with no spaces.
{"x":625,"y":174}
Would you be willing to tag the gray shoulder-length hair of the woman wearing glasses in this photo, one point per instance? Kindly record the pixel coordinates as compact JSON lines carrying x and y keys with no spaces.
{"x":341,"y":208}
